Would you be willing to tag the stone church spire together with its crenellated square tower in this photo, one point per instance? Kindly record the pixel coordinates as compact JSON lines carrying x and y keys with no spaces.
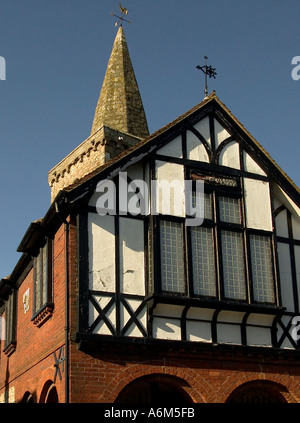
{"x":119,"y":122}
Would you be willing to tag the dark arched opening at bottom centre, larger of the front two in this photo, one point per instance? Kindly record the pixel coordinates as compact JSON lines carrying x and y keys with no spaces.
{"x":155,"y":389}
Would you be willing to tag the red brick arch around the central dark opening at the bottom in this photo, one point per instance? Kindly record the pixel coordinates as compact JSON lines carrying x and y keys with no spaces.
{"x":194,"y":385}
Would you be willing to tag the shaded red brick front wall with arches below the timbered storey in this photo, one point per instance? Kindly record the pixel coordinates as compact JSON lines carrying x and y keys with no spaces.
{"x":100,"y":377}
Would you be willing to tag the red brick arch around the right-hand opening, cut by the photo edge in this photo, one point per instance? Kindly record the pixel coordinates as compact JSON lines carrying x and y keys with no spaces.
{"x":285,"y":385}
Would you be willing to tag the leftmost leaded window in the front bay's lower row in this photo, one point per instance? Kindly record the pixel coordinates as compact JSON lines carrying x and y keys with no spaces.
{"x":172,"y":257}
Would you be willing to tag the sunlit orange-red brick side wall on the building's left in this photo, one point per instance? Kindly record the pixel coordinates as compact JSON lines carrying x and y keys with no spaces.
{"x":32,"y":364}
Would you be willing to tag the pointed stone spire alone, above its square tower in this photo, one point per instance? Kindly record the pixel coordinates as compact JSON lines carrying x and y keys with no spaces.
{"x":120,"y":105}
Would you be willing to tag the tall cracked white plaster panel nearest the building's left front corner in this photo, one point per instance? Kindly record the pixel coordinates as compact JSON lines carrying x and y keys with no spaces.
{"x":101,"y":252}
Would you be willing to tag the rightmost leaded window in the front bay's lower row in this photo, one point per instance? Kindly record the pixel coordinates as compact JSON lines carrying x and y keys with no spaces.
{"x":262,"y":269}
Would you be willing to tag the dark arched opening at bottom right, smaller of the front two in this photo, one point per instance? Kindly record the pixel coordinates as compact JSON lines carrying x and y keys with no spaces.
{"x":256,"y":392}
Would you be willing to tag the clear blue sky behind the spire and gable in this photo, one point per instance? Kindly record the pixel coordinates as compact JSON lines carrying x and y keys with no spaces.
{"x":56,"y":52}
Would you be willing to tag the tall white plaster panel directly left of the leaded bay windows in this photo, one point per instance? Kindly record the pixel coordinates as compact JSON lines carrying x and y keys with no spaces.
{"x":132,"y":277}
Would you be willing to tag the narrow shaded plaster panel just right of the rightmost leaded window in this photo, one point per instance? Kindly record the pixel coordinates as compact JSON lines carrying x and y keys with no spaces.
{"x":285,"y":274}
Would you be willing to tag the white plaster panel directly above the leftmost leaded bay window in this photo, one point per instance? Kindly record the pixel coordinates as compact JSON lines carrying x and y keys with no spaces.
{"x":170,"y":190}
